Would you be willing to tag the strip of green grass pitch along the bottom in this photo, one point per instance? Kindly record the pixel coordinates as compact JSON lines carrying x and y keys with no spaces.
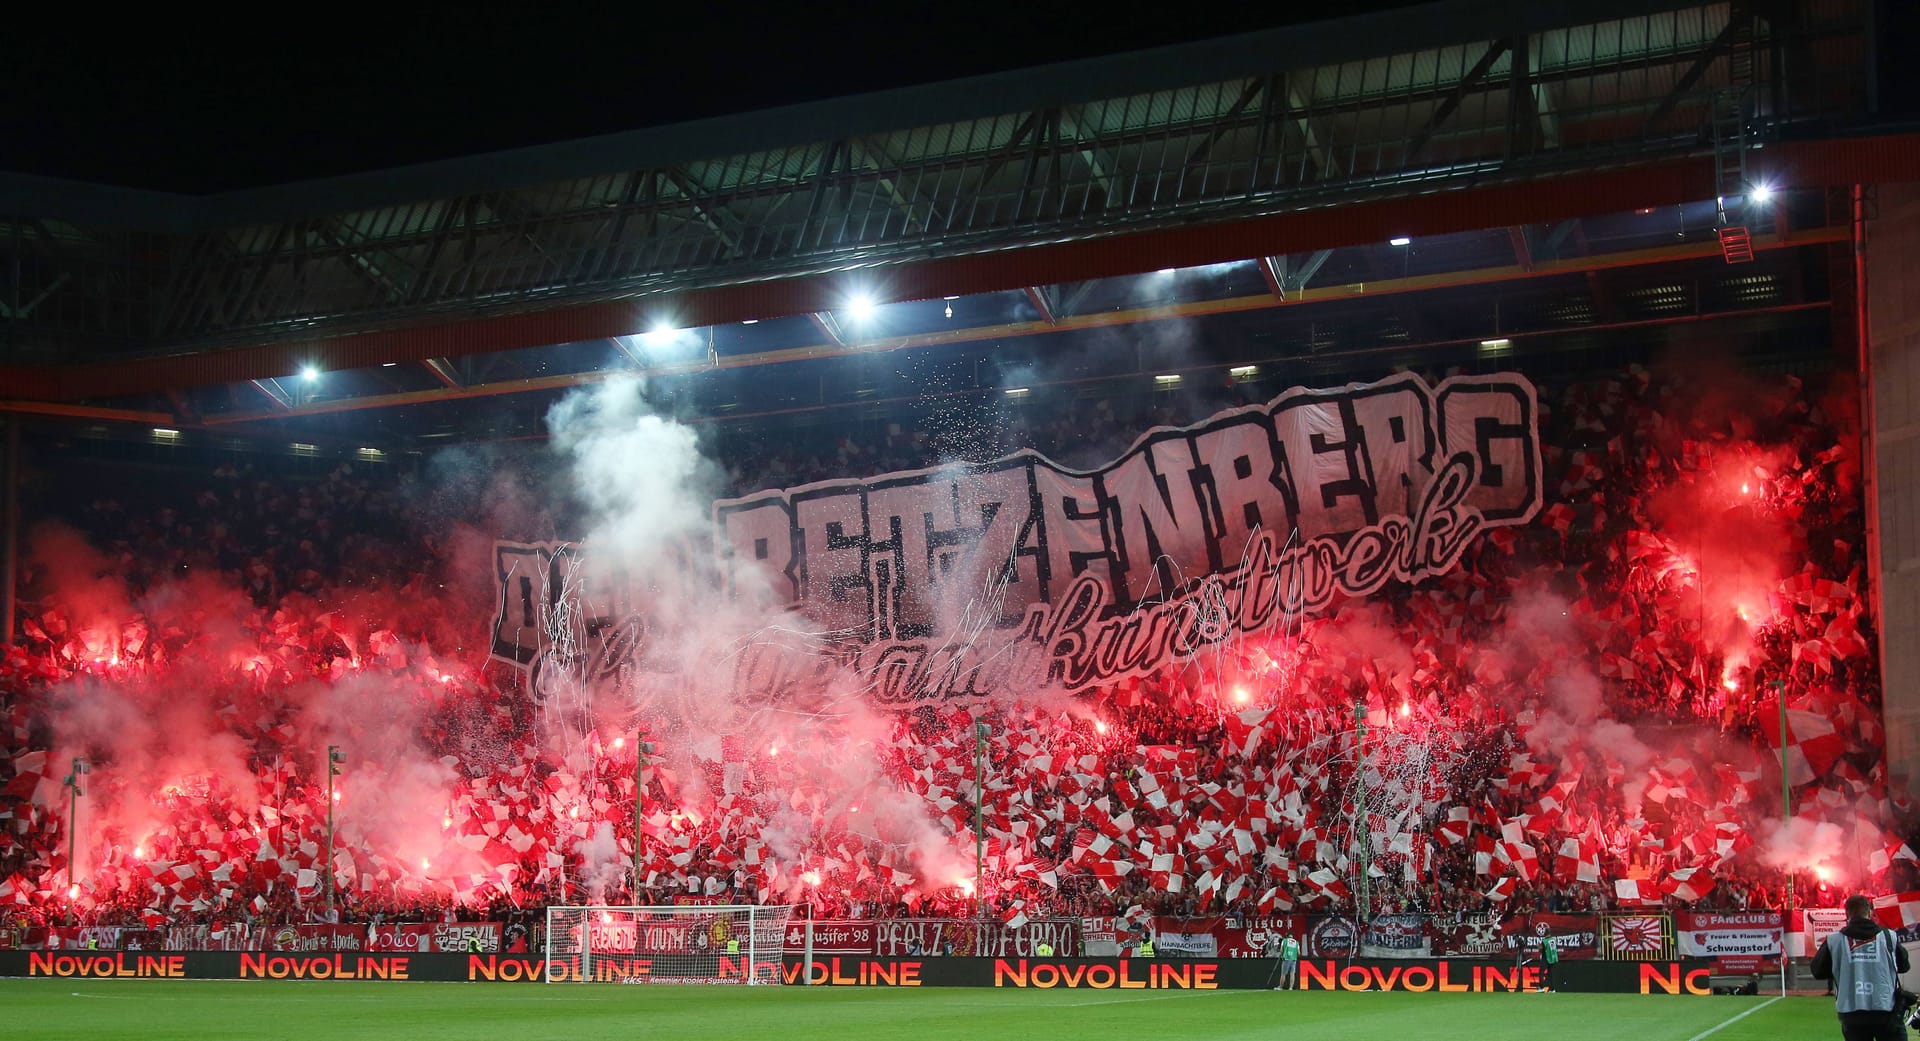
{"x":347,"y":1011}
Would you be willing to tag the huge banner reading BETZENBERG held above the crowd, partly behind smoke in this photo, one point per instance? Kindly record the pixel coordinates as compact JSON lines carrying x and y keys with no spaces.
{"x":1022,"y":575}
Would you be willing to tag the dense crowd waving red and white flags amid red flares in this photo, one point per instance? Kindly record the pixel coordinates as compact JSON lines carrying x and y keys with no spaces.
{"x":1583,"y":702}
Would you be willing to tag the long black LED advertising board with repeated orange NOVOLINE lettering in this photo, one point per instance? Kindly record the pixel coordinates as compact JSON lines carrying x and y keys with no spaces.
{"x":1164,"y":975}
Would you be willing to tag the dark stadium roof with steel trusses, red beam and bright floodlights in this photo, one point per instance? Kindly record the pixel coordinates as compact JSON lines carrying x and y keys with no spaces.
{"x":1274,"y":168}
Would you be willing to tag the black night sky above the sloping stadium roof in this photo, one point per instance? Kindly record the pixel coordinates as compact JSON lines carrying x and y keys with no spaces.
{"x":297,"y":93}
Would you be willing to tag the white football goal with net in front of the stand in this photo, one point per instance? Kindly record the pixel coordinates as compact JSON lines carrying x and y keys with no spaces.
{"x":660,"y":944}
